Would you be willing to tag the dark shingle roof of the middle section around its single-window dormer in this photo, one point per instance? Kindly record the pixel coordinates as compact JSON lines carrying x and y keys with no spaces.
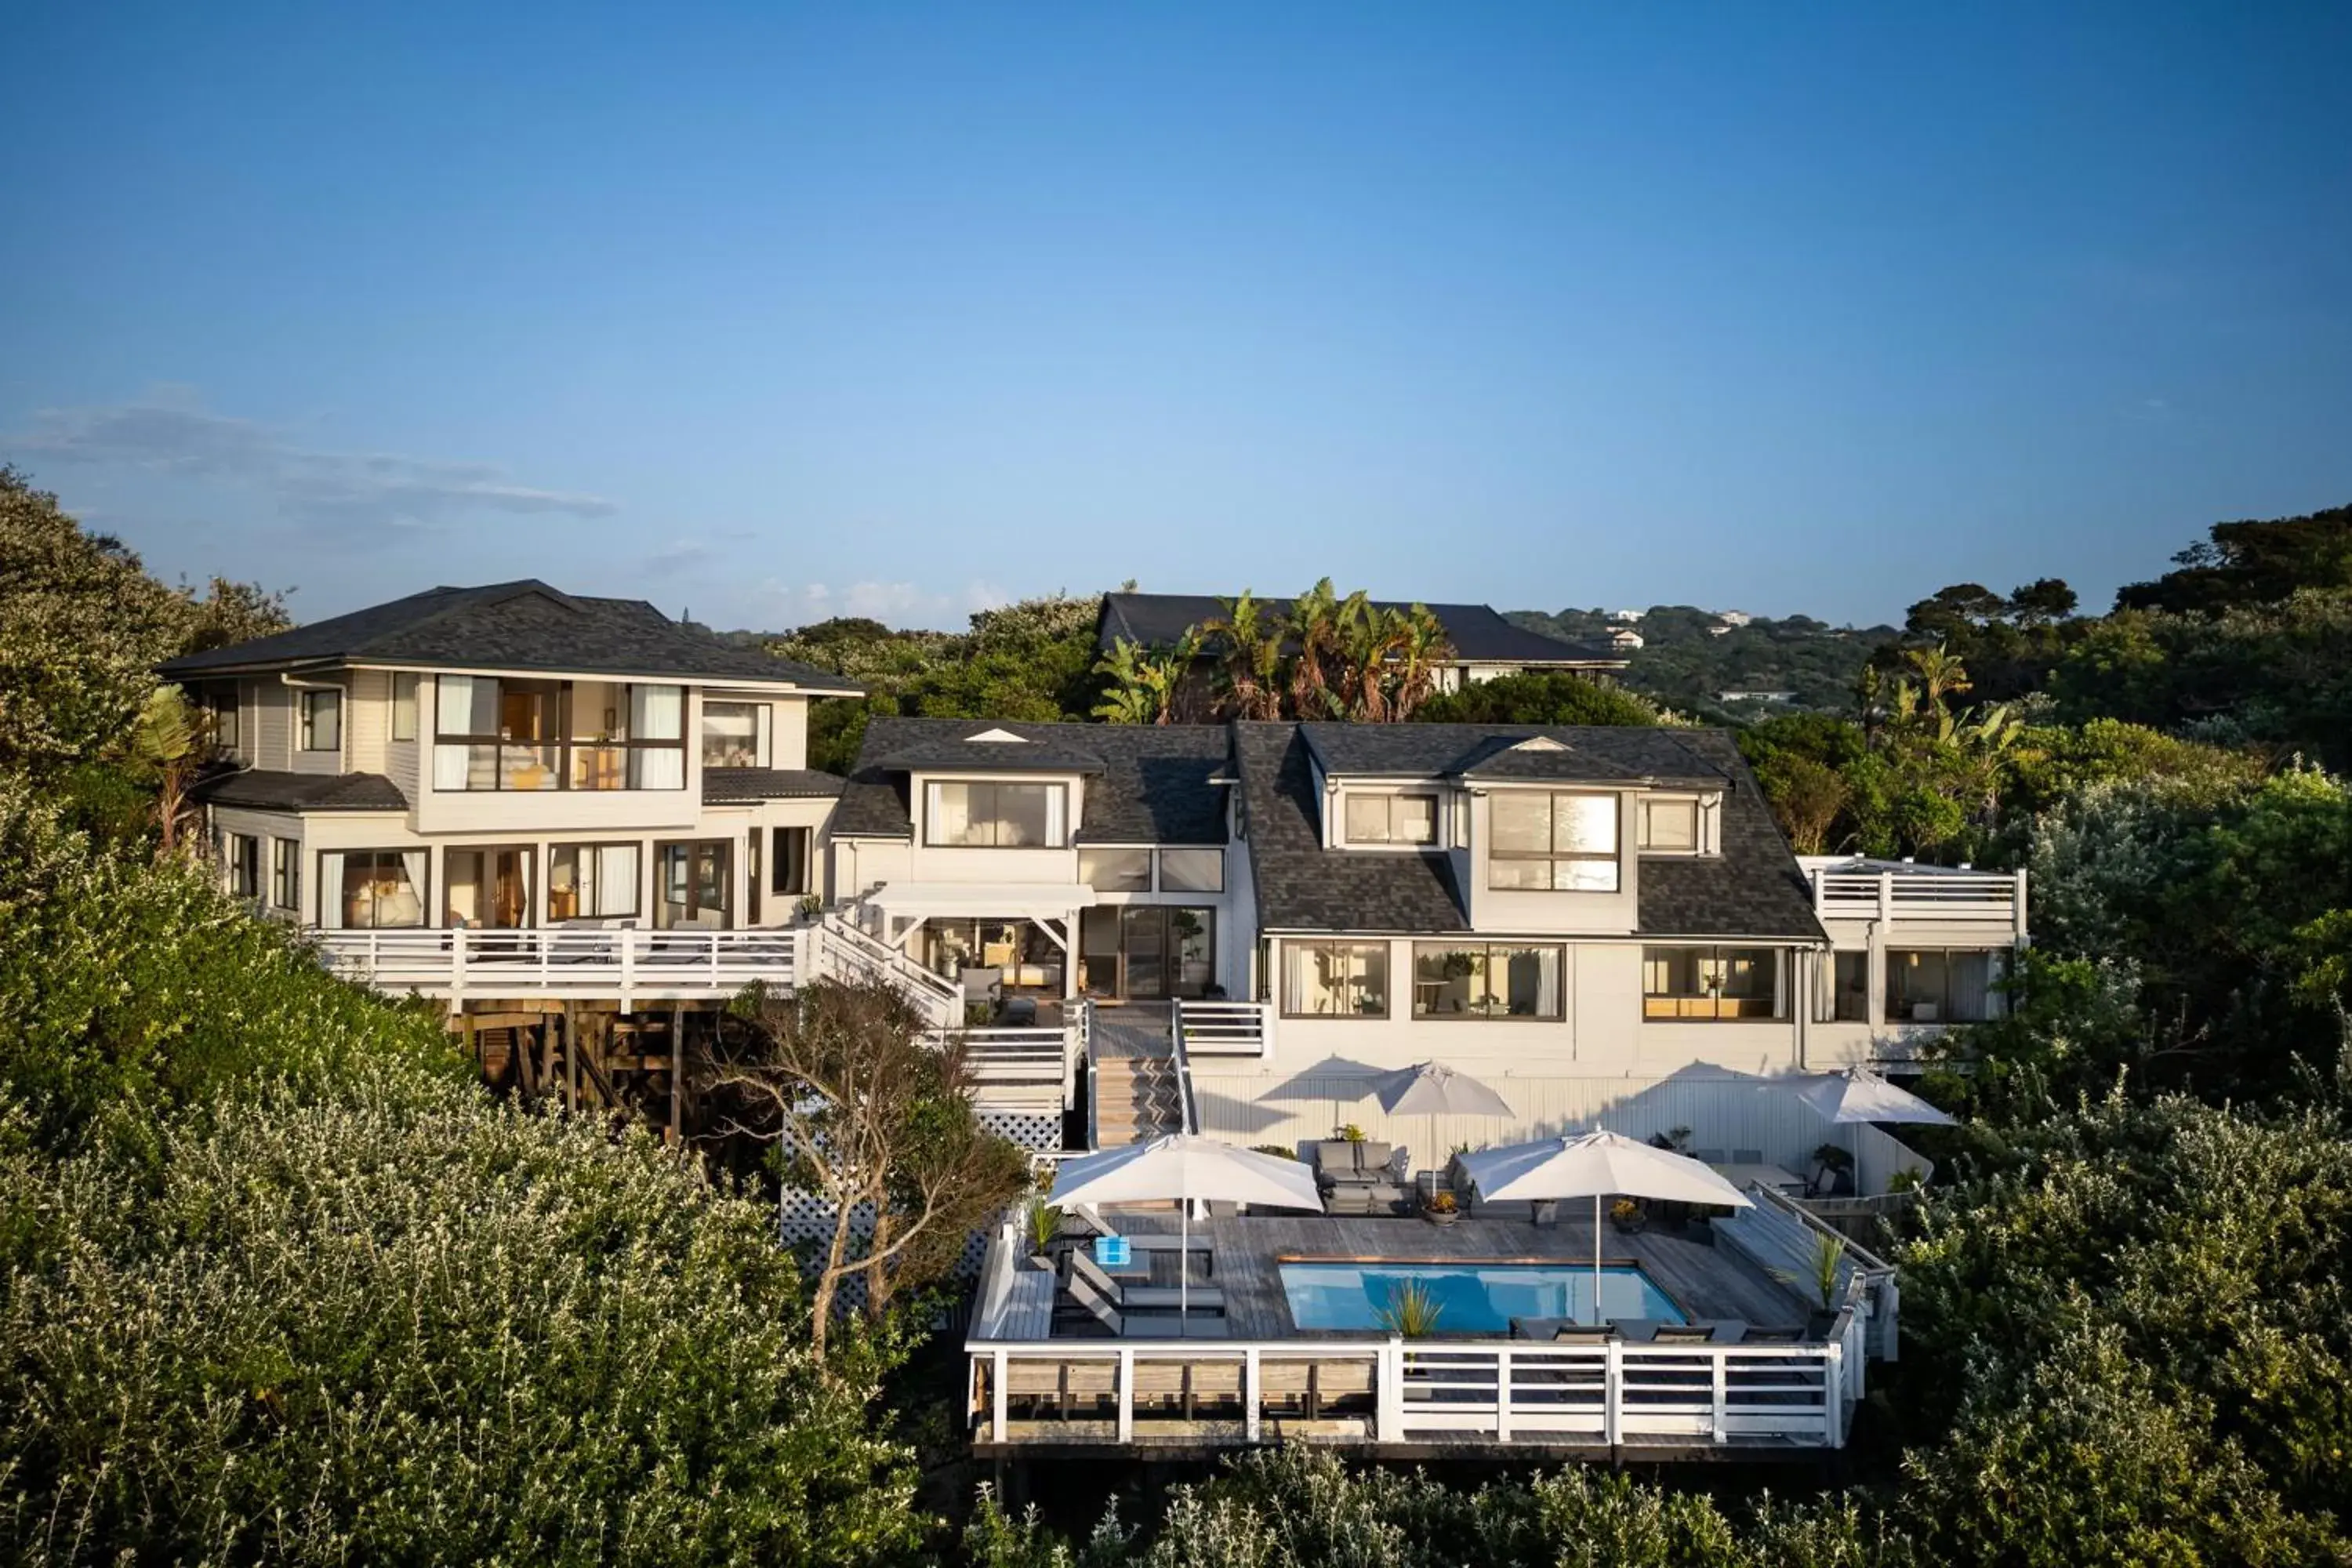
{"x":1151,"y":789}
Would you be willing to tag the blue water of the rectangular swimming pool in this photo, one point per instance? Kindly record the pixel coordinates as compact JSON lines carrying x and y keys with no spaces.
{"x":1471,"y":1299}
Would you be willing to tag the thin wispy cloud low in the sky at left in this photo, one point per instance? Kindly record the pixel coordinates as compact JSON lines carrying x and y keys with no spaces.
{"x":312,"y":490}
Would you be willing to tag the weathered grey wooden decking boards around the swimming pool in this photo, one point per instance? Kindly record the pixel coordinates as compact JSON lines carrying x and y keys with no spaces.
{"x":1245,"y":1261}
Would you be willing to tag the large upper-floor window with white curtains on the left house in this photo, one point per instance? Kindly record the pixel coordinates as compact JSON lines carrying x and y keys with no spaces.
{"x":514,"y":735}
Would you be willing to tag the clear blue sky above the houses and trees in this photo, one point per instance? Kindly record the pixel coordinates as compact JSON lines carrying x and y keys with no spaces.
{"x":784,"y":311}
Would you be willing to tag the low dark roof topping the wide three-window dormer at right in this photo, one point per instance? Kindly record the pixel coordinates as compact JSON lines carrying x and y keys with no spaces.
{"x":1502,"y":751}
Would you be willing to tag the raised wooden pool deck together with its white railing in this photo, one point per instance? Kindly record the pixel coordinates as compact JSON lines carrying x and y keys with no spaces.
{"x":1064,"y":1388}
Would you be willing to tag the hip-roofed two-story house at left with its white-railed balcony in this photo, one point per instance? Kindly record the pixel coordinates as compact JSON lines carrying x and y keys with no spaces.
{"x":521,"y":800}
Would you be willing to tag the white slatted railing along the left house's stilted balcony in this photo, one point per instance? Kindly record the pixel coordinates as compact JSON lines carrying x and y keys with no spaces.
{"x":563,"y":963}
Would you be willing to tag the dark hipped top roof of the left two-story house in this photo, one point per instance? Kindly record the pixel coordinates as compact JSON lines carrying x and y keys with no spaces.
{"x":512,"y":626}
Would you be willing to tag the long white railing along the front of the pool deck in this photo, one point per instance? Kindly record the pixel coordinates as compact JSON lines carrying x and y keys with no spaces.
{"x":1415,"y":1393}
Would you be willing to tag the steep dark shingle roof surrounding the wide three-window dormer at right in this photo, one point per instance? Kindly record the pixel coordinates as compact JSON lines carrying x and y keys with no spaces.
{"x":1753,"y":887}
